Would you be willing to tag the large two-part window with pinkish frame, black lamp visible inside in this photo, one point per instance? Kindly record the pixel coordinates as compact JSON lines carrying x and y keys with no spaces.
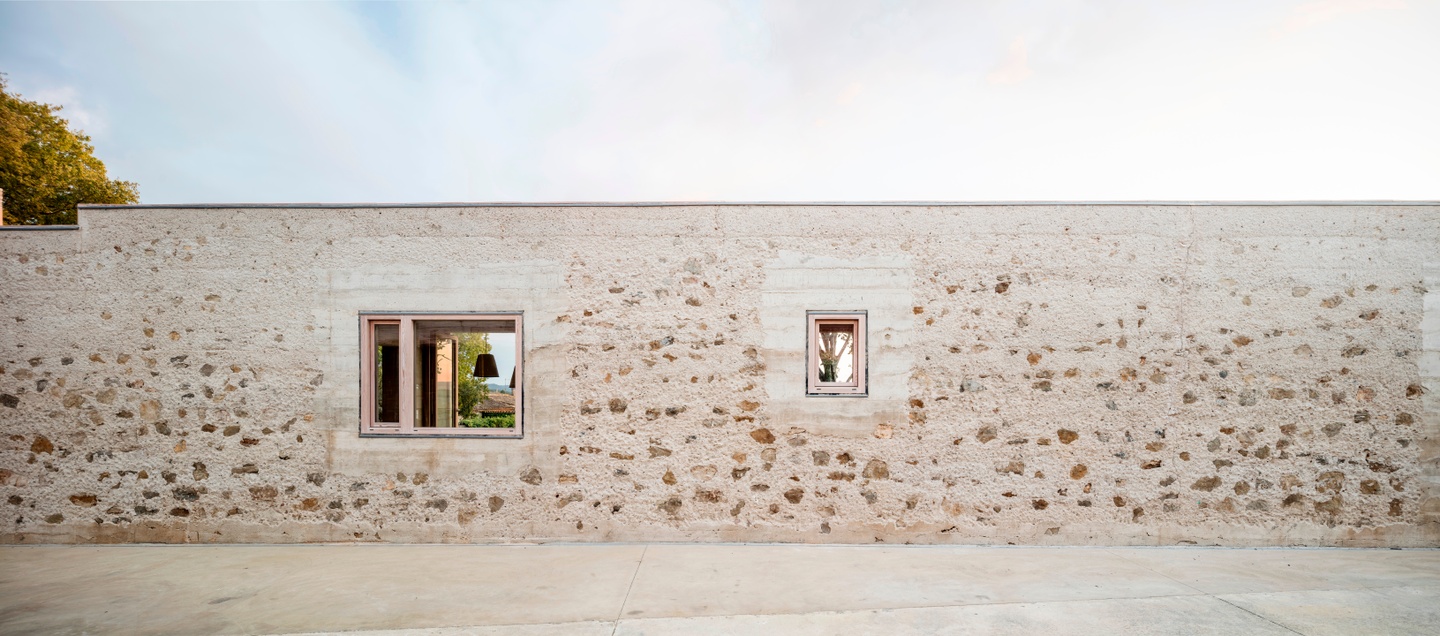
{"x":428,"y":375}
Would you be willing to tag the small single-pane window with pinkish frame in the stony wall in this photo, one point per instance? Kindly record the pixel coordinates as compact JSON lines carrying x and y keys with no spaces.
{"x":836,"y":353}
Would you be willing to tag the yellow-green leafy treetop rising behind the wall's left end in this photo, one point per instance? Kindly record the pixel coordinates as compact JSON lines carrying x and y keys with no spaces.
{"x":47,"y":171}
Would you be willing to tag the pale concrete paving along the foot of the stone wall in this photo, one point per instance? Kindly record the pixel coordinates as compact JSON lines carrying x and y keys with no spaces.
{"x":688,"y":589}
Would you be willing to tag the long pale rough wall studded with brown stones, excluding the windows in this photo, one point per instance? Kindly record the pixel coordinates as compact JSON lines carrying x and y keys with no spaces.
{"x":1138,"y":375}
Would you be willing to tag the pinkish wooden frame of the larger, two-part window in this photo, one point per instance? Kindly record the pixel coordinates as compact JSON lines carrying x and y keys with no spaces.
{"x":407,"y":427}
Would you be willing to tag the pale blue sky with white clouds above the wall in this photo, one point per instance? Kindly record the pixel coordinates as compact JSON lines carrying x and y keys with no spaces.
{"x":745,"y":101}
